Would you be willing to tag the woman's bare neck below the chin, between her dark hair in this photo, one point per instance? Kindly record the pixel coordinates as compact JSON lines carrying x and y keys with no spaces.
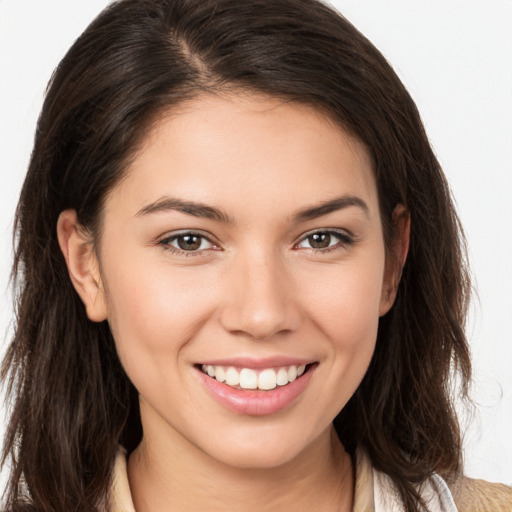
{"x":168,"y":477}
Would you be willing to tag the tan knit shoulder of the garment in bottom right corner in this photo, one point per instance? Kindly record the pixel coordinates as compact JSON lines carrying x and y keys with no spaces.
{"x":473,"y":495}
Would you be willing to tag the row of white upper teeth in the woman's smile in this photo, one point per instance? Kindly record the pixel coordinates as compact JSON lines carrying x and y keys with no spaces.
{"x":247,"y":378}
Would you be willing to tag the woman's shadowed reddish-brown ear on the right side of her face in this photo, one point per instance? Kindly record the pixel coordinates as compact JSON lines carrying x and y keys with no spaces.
{"x":395,"y":257}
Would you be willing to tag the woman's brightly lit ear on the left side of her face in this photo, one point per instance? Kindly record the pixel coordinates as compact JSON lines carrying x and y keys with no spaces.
{"x":83,"y":266}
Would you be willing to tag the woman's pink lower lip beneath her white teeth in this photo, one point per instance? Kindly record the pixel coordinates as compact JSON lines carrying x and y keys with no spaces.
{"x":257,"y":402}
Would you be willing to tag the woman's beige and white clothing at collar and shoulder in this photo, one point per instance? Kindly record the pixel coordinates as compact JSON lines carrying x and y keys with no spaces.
{"x":374,"y":492}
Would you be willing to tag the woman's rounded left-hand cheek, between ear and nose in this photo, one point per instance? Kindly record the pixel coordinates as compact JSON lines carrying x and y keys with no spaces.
{"x":153,"y":312}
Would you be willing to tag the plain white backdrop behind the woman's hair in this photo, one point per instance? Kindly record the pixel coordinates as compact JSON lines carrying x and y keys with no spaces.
{"x":455,"y":57}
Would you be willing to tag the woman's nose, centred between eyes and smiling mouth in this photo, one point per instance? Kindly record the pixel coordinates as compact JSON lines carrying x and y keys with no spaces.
{"x":261,"y":301}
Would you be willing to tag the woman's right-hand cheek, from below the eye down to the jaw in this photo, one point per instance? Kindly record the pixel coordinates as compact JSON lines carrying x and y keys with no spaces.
{"x":343,"y":309}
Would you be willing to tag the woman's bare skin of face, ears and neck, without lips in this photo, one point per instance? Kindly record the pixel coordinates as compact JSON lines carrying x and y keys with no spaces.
{"x":255,"y":288}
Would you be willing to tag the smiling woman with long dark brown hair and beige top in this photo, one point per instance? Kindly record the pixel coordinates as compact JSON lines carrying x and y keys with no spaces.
{"x":234,"y":235}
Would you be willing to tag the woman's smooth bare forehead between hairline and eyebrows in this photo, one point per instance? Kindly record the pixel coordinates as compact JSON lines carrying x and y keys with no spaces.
{"x":233,"y":149}
